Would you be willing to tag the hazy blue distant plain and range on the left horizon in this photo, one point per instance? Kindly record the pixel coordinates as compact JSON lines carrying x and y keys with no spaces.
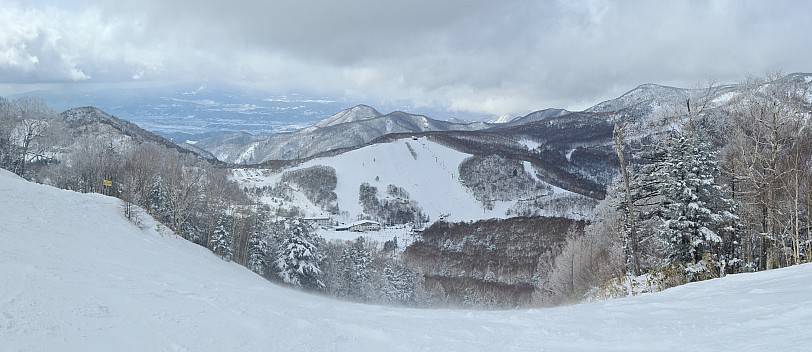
{"x":194,"y":111}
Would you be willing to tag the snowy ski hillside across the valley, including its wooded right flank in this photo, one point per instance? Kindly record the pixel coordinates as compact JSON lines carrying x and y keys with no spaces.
{"x":429,"y":173}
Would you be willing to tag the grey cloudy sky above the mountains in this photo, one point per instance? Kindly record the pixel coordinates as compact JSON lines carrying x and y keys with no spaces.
{"x":486,"y":56}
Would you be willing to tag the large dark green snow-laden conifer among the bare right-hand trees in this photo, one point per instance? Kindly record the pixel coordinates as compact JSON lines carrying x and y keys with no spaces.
{"x":683,"y":204}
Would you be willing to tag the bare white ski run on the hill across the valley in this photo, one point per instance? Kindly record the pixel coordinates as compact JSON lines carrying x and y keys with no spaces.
{"x":432,"y":179}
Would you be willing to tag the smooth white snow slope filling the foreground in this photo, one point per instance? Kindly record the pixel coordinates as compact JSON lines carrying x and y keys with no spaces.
{"x":75,"y":275}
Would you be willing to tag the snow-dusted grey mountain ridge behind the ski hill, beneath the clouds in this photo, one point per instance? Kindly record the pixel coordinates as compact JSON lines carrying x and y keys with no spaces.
{"x":362,"y":124}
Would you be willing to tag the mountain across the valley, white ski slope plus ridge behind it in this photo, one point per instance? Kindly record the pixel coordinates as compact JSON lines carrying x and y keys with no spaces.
{"x":551,"y":162}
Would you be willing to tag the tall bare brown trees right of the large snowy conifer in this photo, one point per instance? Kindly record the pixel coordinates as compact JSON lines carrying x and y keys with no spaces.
{"x":768,"y":158}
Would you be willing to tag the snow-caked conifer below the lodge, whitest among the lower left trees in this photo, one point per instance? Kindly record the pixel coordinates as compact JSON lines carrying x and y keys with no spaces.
{"x":298,"y":257}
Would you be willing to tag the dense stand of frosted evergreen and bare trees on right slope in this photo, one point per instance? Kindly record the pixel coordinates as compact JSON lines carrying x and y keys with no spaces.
{"x":711,"y":189}
